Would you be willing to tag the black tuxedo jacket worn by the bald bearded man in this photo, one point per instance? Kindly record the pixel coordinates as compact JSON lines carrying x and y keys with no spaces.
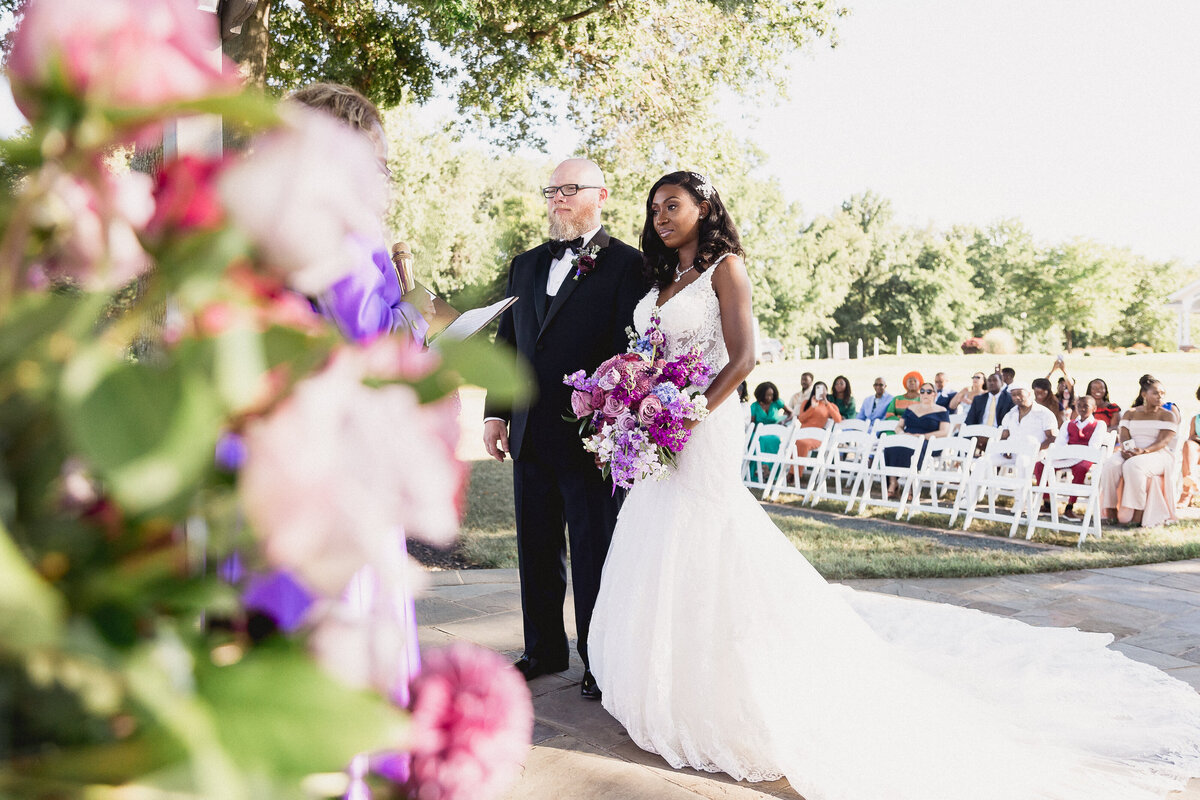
{"x":584,"y":326}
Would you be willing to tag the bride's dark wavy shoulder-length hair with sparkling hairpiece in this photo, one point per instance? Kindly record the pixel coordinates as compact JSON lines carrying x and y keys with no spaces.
{"x":718,"y":234}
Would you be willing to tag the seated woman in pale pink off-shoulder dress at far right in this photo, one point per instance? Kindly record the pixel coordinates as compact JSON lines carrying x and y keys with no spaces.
{"x":1139,"y":477}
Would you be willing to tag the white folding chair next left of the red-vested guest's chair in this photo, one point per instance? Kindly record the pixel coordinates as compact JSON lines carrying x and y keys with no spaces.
{"x":1006,"y":470}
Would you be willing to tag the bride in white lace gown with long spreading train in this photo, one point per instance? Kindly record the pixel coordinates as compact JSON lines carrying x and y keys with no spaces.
{"x":719,"y":647}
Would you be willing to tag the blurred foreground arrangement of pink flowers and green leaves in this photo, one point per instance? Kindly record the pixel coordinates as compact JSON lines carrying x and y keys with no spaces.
{"x":206,"y":491}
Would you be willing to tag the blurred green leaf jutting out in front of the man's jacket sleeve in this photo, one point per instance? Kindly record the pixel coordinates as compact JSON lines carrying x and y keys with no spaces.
{"x":478,"y":363}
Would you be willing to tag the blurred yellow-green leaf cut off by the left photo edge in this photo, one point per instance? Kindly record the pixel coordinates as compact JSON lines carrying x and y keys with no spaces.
{"x":32,"y":612}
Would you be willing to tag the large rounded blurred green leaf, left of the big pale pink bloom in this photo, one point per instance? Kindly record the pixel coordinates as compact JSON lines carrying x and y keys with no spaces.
{"x":148,"y":431}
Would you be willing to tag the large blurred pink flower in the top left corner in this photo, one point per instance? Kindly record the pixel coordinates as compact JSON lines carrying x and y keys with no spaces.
{"x":117,"y":53}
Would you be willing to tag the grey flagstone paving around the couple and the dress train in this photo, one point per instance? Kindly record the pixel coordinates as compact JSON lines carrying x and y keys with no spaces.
{"x":583,"y":754}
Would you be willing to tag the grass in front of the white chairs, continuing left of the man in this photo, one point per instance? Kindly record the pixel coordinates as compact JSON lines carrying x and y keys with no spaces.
{"x":489,"y":540}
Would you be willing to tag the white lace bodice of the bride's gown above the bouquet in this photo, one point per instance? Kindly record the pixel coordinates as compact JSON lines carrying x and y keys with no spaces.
{"x":689,"y":320}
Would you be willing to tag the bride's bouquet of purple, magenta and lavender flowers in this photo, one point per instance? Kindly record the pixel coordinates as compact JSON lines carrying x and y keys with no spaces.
{"x":635,"y":406}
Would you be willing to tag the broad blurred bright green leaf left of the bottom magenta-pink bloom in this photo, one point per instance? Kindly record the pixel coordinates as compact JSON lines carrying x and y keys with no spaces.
{"x":278,"y":712}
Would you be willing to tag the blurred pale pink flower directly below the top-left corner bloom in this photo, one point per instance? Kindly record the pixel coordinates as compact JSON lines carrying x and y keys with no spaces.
{"x":91,"y":227}
